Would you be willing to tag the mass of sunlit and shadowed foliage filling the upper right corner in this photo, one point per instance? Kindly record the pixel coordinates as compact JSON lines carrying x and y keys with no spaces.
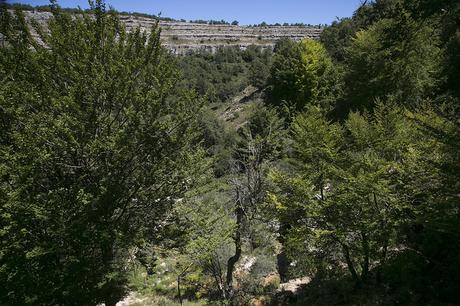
{"x":395,"y":48}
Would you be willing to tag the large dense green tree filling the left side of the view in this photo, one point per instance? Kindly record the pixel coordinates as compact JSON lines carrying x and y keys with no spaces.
{"x":95,"y":150}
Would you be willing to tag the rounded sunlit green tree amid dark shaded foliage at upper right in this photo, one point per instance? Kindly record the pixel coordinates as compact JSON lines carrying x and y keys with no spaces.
{"x":398,"y":57}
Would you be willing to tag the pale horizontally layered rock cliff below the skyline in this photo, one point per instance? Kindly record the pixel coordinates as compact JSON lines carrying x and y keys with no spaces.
{"x":180,"y":37}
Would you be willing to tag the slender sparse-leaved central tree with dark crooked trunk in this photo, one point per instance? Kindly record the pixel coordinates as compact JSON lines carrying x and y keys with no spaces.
{"x":261,"y":141}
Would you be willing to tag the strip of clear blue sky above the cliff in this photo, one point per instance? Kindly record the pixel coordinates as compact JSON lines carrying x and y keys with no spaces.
{"x":244,"y":11}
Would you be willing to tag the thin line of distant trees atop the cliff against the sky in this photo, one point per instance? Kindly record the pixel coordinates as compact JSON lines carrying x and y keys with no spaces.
{"x":47,"y":8}
